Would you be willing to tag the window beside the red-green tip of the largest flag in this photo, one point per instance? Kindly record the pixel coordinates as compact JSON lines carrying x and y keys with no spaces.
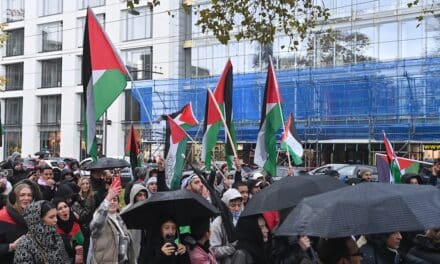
{"x":139,"y":63}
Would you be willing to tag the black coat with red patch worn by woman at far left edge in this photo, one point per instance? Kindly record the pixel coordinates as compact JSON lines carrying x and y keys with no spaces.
{"x":12,"y":226}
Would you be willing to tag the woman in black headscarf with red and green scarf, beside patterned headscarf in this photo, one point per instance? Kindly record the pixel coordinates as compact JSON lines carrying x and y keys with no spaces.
{"x":70,"y":231}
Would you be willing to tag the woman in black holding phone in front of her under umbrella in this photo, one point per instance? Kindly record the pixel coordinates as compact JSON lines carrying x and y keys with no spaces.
{"x":170,"y":250}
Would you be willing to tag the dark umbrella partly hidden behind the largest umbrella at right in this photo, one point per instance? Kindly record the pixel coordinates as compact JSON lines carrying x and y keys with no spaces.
{"x":288,"y":192}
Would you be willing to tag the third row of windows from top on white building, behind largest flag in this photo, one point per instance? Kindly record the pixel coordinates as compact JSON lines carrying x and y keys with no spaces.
{"x":138,"y":62}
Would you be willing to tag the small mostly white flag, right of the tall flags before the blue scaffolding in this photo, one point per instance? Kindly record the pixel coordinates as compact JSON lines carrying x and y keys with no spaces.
{"x":290,"y":141}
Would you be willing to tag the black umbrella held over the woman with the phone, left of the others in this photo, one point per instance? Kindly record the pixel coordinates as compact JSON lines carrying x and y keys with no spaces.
{"x":181,"y":205}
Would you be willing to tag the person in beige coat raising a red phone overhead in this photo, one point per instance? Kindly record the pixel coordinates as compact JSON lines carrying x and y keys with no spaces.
{"x":110,"y":241}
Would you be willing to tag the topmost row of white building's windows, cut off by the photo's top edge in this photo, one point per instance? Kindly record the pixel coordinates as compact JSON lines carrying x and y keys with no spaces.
{"x":14,"y":10}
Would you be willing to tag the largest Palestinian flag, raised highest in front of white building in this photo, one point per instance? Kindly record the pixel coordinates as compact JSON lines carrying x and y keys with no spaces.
{"x":104,"y":77}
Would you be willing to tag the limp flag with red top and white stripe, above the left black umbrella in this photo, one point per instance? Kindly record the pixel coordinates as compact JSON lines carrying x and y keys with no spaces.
{"x":174,"y":160}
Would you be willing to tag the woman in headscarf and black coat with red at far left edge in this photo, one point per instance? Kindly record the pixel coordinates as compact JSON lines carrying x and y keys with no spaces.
{"x":12,"y":223}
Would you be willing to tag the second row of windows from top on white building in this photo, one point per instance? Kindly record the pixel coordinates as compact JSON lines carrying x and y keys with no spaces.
{"x":51,"y":34}
